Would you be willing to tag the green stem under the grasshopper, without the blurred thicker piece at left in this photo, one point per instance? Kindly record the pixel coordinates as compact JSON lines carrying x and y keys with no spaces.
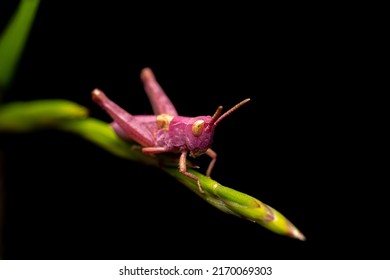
{"x":225,"y":199}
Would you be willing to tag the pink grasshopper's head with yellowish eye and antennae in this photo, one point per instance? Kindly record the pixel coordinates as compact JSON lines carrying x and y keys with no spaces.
{"x":200,"y":130}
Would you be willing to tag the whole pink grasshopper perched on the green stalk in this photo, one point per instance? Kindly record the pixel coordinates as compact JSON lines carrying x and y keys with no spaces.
{"x":165,"y":131}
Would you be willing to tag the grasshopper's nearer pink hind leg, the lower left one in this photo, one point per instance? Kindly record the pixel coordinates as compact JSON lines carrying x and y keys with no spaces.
{"x":129,"y":125}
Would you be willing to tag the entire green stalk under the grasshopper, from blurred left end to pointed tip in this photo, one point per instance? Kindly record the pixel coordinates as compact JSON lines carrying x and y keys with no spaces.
{"x":70,"y":117}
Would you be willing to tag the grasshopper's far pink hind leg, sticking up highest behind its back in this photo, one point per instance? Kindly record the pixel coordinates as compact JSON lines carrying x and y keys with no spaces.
{"x":160,"y":102}
